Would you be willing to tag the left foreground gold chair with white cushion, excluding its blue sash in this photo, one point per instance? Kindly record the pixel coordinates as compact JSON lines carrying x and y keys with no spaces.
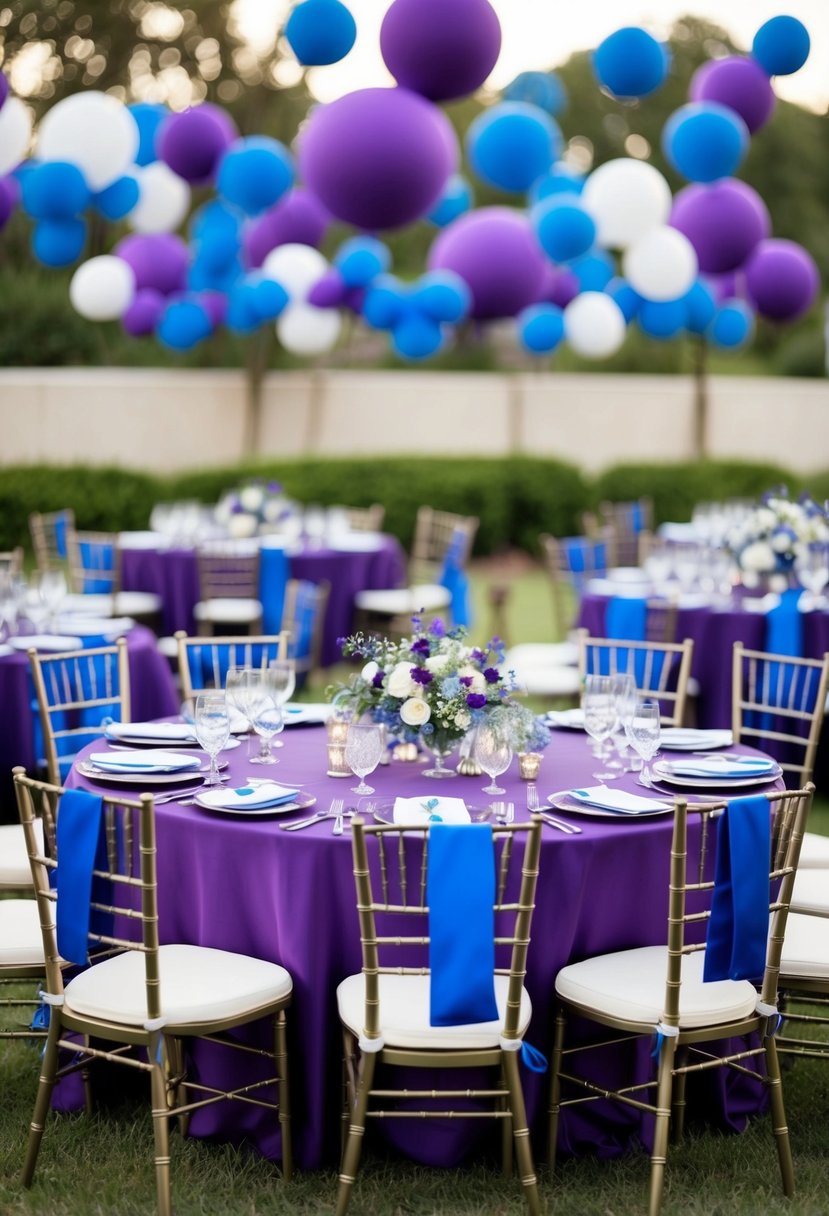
{"x":142,"y":994}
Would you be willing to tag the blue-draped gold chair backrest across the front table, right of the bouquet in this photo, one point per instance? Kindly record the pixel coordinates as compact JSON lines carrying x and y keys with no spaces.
{"x":661,"y":669}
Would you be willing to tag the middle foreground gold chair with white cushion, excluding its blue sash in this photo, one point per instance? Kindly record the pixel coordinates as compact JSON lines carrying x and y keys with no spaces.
{"x":385,"y":1010}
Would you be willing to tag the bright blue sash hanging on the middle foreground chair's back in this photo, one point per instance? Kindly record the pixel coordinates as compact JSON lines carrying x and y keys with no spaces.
{"x":461,"y":896}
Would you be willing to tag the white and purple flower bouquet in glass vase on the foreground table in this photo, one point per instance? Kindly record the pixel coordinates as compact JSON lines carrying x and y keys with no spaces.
{"x":430,"y":689}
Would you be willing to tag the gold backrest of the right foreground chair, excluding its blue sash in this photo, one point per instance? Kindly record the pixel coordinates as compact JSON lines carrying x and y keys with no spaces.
{"x":691,"y":886}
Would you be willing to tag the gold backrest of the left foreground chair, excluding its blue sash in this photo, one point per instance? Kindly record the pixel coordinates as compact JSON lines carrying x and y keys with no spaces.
{"x":127,"y":882}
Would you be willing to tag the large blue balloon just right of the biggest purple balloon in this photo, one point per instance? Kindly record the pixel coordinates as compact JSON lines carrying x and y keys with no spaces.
{"x":512,"y":145}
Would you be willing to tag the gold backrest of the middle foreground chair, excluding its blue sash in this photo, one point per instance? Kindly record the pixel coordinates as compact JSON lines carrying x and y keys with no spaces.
{"x":391,"y":866}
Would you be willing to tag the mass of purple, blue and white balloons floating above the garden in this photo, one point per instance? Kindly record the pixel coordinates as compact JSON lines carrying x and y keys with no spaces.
{"x":579,"y":258}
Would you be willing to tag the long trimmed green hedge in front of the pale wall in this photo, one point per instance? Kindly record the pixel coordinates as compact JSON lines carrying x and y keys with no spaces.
{"x":516,"y":498}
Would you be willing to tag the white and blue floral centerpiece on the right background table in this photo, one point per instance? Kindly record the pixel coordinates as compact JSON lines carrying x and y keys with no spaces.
{"x":770,"y":539}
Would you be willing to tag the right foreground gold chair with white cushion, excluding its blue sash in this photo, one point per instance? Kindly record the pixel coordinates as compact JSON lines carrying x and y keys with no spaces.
{"x":661,"y":989}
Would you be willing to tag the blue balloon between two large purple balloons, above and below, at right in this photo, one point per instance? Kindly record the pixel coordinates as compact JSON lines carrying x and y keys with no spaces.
{"x":706,"y":142}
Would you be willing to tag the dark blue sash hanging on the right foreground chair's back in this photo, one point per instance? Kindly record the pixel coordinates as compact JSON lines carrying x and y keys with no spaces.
{"x":738,"y":928}
